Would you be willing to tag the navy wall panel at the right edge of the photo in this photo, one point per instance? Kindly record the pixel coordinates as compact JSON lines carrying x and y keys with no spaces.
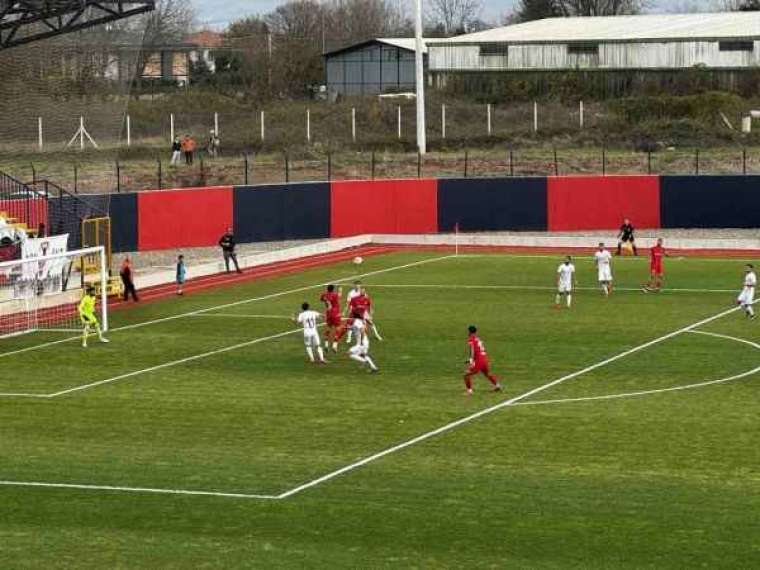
{"x":710,"y":201}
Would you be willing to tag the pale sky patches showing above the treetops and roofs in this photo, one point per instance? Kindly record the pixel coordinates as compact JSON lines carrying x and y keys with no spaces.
{"x":217,"y":13}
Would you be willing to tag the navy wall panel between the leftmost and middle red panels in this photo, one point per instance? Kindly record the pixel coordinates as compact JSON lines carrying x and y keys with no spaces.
{"x":293,"y":211}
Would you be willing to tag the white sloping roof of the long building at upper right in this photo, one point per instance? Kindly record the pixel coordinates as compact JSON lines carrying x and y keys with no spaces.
{"x":622,"y":28}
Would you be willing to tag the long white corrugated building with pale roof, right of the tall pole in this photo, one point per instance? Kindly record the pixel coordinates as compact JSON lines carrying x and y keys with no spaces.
{"x":657,"y":42}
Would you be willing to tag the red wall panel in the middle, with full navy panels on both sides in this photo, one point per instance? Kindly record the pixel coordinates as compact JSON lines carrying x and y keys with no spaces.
{"x":383,"y":207}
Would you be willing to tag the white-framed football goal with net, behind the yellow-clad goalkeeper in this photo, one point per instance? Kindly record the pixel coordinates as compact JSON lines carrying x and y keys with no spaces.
{"x":42,"y":293}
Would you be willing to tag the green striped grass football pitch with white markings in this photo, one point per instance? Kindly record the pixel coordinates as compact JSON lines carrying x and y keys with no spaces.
{"x":626,"y":437}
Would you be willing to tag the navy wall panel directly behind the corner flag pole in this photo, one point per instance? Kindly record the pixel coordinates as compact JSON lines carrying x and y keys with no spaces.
{"x":492,"y":204}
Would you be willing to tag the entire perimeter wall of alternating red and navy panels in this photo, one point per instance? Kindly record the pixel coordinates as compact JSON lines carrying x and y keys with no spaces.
{"x":173,"y":219}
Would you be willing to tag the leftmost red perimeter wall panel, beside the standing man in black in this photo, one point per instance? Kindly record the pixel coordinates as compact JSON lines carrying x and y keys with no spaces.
{"x":183,"y":218}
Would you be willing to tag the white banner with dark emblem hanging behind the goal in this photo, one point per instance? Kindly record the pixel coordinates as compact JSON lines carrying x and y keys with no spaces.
{"x":47,"y":275}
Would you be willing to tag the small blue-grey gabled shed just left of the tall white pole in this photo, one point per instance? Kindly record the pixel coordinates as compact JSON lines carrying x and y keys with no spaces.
{"x":371,"y":67}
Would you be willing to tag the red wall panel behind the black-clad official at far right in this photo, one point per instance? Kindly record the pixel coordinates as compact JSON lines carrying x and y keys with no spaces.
{"x":601,"y":202}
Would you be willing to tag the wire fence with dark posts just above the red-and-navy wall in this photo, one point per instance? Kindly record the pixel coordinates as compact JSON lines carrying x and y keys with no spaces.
{"x":99,"y":176}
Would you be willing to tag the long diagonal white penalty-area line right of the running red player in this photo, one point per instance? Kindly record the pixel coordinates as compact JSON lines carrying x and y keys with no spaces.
{"x":512,"y":401}
